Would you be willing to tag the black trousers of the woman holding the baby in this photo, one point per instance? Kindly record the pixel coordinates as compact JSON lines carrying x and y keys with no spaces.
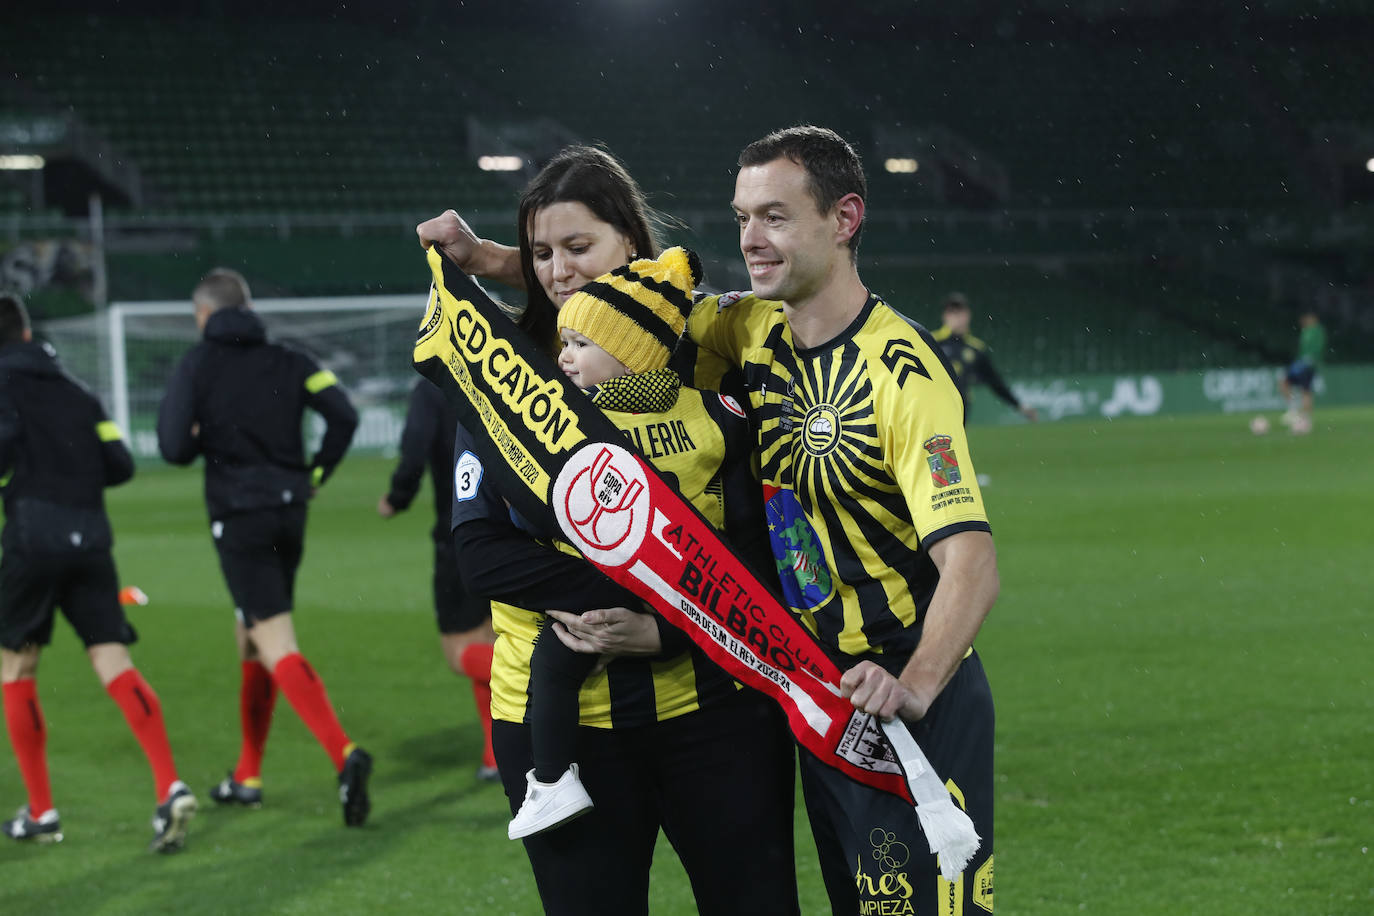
{"x":719,"y":782}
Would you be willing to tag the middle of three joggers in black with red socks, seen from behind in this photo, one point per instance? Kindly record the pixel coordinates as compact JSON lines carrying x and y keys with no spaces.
{"x":240,"y":402}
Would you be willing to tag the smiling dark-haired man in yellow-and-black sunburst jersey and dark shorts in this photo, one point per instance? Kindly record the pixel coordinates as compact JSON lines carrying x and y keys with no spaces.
{"x":875,"y":512}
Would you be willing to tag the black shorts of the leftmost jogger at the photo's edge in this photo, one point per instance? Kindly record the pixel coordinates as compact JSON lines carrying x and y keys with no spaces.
{"x":85,"y":584}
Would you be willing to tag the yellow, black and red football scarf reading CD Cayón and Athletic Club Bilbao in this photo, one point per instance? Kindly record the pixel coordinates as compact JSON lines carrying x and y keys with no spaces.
{"x":557,"y":457}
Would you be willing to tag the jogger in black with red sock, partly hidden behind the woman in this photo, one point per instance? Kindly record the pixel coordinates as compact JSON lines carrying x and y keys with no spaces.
{"x":465,"y":620}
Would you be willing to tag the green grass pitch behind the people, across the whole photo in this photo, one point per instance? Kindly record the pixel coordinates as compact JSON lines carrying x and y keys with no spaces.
{"x":1182,"y":663}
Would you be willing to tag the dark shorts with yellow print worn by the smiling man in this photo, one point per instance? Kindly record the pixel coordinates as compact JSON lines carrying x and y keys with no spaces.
{"x":857,"y":825}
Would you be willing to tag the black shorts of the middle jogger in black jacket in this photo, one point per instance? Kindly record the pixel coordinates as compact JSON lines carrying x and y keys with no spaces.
{"x":260,"y":553}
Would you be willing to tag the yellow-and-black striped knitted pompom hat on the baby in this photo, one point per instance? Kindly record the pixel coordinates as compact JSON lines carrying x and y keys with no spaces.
{"x":637,"y":312}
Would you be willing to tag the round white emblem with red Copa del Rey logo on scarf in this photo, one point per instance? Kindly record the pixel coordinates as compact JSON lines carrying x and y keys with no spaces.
{"x":601,"y":502}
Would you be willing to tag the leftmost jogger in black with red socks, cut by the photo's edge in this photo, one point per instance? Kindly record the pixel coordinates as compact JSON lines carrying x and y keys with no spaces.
{"x":58,"y":453}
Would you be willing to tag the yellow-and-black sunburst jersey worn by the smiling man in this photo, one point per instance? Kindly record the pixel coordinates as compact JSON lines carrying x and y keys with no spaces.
{"x":864,"y":461}
